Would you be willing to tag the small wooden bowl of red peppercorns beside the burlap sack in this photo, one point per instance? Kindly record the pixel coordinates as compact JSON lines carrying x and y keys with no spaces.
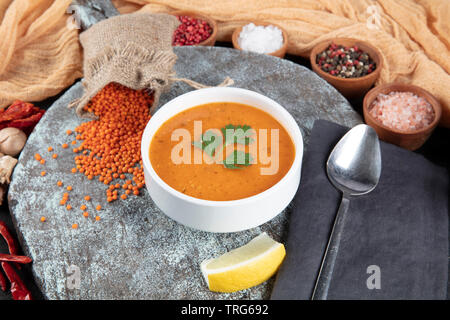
{"x":197,"y":30}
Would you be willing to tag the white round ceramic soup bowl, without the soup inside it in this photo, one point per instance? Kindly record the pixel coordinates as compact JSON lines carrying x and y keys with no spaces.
{"x":222,"y":216}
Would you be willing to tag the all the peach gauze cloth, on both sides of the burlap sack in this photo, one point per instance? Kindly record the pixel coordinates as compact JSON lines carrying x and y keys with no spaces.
{"x":40,"y":56}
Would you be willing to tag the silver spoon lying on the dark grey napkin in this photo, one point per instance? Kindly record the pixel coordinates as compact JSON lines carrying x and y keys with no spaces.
{"x":354,"y":167}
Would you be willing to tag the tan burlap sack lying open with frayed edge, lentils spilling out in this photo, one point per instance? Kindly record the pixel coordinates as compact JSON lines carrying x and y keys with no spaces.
{"x":134,"y":50}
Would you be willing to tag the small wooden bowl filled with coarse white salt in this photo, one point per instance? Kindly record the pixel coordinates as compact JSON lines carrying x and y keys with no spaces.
{"x":261,"y":37}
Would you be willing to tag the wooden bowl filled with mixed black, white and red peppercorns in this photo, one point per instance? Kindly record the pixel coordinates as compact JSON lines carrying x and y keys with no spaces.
{"x":351,"y":66}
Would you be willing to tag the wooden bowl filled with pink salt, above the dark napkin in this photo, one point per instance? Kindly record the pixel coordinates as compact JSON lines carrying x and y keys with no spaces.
{"x":402,"y":114}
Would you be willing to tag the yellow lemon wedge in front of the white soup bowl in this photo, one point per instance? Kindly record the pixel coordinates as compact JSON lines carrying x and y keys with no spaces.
{"x":244,"y":267}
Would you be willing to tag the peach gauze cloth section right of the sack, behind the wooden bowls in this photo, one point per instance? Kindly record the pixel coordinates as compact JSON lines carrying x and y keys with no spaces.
{"x":413,"y":35}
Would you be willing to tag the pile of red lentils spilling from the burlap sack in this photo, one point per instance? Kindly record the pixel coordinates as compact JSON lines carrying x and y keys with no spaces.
{"x":110,"y":147}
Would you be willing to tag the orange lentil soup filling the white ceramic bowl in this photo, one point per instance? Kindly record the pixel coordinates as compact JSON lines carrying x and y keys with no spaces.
{"x":215,"y":181}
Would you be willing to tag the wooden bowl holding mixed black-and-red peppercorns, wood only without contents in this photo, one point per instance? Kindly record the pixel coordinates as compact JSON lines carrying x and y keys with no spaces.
{"x":348,"y":87}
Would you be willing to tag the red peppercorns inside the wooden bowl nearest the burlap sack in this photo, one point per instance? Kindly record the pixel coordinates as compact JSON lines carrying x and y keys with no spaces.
{"x":191,"y":31}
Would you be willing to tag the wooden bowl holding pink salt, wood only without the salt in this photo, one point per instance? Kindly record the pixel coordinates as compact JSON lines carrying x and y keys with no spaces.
{"x":409,"y":140}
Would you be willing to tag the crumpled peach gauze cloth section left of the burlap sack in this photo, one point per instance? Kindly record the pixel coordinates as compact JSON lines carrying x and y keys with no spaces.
{"x":39,"y":55}
